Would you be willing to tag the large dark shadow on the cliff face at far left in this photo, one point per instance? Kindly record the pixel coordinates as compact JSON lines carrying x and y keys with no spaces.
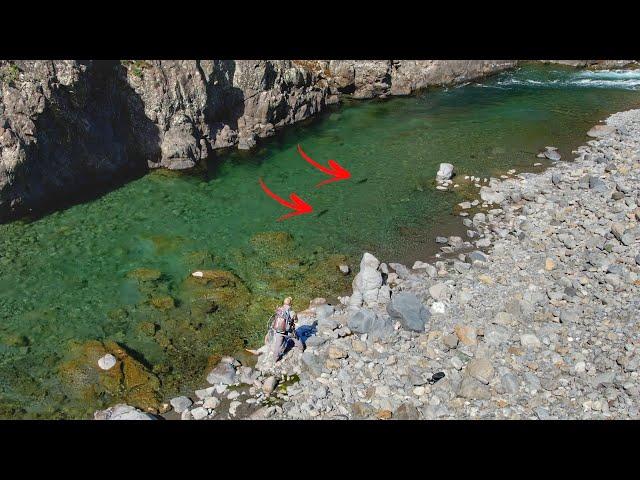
{"x":91,"y":137}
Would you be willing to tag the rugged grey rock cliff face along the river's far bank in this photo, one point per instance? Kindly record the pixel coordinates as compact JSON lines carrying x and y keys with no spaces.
{"x":72,"y":126}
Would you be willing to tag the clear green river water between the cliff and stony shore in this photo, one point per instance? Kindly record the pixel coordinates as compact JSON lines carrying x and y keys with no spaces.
{"x":65,"y":278}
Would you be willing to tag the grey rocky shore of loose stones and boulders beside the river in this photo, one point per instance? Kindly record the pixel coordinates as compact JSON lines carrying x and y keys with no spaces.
{"x":534,"y":316}
